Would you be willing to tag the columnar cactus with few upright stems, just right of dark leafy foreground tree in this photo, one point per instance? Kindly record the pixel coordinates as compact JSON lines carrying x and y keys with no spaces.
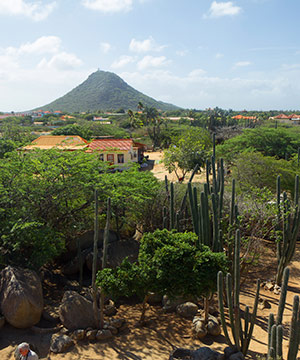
{"x":241,"y":335}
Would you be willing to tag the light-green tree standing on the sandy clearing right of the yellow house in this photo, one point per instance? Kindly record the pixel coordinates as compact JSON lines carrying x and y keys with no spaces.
{"x":187,"y":151}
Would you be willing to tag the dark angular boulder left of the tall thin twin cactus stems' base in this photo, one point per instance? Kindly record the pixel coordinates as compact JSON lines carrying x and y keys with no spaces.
{"x":76,"y":312}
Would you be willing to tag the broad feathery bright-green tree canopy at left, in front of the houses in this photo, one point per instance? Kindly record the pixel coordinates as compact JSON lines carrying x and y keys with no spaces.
{"x":50,"y":193}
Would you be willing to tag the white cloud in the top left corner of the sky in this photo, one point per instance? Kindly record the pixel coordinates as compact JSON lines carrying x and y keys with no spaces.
{"x":34,"y":10}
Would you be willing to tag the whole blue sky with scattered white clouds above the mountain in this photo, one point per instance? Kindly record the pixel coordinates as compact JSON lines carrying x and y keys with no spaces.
{"x":240,"y":54}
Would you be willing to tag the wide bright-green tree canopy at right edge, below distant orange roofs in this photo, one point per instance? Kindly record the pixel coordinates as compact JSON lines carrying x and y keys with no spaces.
{"x":281,"y":143}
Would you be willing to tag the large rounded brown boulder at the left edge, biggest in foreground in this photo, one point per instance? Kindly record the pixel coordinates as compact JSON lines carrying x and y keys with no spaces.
{"x":21,"y":297}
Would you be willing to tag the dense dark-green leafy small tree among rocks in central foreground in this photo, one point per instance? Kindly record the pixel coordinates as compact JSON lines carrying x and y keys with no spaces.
{"x":169,"y":263}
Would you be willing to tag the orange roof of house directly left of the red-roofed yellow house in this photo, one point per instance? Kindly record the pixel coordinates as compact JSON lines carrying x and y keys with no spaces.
{"x":62,"y":142}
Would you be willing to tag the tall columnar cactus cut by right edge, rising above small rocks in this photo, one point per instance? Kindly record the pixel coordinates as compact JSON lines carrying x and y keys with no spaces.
{"x":288,"y":222}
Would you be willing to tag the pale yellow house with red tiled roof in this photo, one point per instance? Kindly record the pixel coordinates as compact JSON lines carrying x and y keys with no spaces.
{"x":118,"y":151}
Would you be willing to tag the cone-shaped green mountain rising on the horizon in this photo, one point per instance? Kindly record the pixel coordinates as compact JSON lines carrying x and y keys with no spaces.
{"x":104,"y":90}
